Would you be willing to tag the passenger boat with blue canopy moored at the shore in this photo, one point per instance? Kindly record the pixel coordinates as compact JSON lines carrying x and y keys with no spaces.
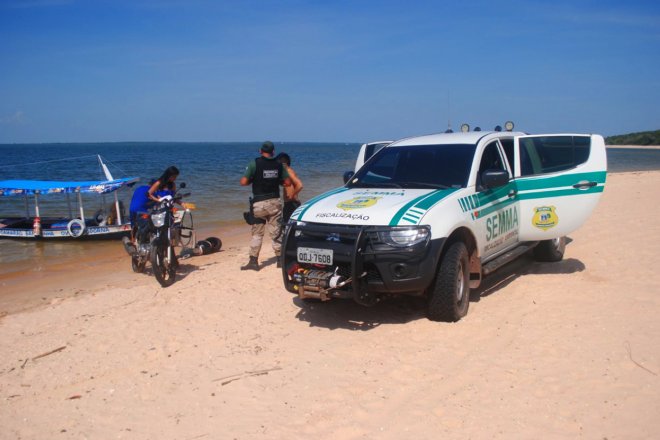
{"x":107,"y":222}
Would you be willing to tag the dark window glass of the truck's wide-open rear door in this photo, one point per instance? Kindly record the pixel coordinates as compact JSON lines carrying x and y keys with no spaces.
{"x":539,"y":155}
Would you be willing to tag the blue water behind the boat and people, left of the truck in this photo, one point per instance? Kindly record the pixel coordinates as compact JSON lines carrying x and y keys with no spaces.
{"x":211,"y":171}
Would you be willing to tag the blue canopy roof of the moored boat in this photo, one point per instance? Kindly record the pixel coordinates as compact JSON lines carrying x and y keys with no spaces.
{"x":30,"y":187}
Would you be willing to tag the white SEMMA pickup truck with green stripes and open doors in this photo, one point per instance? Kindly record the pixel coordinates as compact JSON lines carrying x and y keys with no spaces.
{"x":431,"y":215}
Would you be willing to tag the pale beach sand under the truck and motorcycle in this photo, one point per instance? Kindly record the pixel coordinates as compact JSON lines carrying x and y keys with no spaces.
{"x":553,"y":350}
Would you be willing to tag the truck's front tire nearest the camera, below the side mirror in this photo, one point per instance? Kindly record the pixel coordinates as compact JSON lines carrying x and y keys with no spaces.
{"x":449,"y":297}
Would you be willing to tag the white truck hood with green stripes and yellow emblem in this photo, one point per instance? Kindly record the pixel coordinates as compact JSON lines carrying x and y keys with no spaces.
{"x":370,"y":206}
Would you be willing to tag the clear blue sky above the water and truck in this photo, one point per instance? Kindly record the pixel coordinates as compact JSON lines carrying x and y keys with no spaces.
{"x":323,"y":71}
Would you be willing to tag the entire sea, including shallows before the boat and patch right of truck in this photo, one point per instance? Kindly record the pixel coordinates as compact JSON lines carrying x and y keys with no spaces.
{"x":211,"y":171}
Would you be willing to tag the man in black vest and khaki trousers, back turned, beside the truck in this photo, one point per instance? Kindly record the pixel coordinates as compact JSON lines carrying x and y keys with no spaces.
{"x":265,"y":174}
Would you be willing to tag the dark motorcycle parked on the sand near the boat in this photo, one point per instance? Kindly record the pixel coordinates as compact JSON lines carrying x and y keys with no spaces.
{"x":158,"y":232}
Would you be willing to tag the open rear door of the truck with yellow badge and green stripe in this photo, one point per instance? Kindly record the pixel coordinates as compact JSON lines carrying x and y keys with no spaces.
{"x":558,"y":180}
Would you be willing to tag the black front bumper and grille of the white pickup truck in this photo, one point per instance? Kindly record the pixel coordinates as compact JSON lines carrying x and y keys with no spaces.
{"x":372,"y":267}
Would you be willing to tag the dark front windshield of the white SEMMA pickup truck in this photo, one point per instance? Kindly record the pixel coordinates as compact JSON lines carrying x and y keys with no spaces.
{"x":418,"y":166}
